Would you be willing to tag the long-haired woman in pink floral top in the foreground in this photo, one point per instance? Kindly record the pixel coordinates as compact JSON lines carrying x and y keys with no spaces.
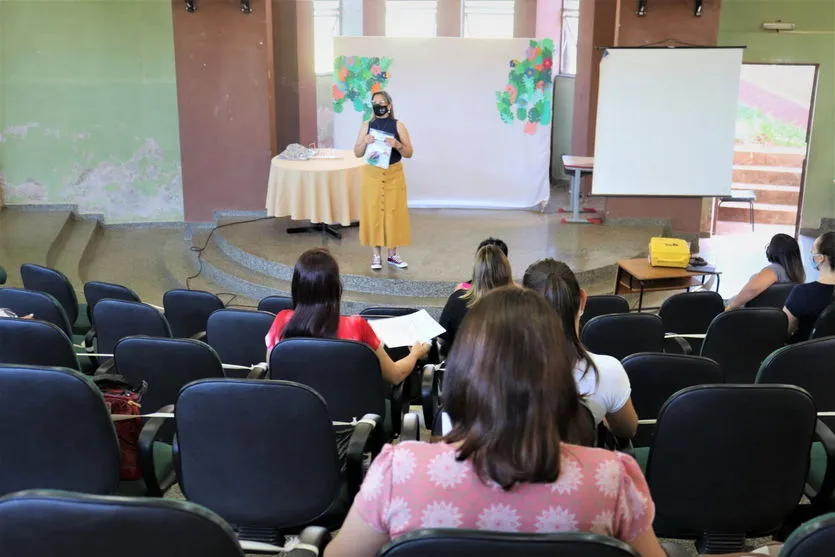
{"x":511,"y":396}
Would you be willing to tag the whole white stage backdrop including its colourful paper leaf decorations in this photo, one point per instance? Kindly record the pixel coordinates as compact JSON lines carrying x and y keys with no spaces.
{"x":478,"y":112}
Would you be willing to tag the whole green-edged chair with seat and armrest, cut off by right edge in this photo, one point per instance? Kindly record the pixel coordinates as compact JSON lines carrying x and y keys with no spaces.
{"x":809,"y":365}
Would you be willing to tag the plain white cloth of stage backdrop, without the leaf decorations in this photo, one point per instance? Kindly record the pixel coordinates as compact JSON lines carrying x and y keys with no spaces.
{"x":444,"y":91}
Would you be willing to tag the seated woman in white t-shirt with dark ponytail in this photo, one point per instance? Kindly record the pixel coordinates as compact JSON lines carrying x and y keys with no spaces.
{"x":601,"y":380}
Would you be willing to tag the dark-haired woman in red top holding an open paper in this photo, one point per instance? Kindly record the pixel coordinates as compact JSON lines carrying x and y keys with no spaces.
{"x":316,"y":291}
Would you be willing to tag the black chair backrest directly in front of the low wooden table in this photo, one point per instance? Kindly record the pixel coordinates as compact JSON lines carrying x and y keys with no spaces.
{"x":691,"y":313}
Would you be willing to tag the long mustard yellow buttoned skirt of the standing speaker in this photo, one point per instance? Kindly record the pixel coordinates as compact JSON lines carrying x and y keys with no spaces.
{"x":384,"y":215}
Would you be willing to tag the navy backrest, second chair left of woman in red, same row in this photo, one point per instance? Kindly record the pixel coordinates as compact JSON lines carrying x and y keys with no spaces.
{"x":117,"y":319}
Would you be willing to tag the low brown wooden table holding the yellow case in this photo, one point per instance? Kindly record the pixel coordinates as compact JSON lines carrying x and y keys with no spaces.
{"x":638,"y":276}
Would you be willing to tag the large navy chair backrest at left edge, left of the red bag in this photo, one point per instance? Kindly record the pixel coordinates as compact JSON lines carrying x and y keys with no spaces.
{"x":55,"y":432}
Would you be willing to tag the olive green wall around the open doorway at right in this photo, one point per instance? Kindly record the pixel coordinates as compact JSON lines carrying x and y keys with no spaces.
{"x":740,"y":25}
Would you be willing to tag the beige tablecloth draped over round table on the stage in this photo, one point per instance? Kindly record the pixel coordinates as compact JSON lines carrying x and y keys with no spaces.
{"x":318,"y":190}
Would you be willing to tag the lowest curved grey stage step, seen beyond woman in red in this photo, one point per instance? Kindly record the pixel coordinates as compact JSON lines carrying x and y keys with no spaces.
{"x":236,"y":278}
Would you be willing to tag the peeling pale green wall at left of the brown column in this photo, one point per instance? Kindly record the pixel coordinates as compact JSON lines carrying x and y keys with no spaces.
{"x":88,"y":107}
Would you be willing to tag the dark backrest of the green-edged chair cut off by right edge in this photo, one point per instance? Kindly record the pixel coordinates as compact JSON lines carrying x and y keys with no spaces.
{"x":809,"y":365}
